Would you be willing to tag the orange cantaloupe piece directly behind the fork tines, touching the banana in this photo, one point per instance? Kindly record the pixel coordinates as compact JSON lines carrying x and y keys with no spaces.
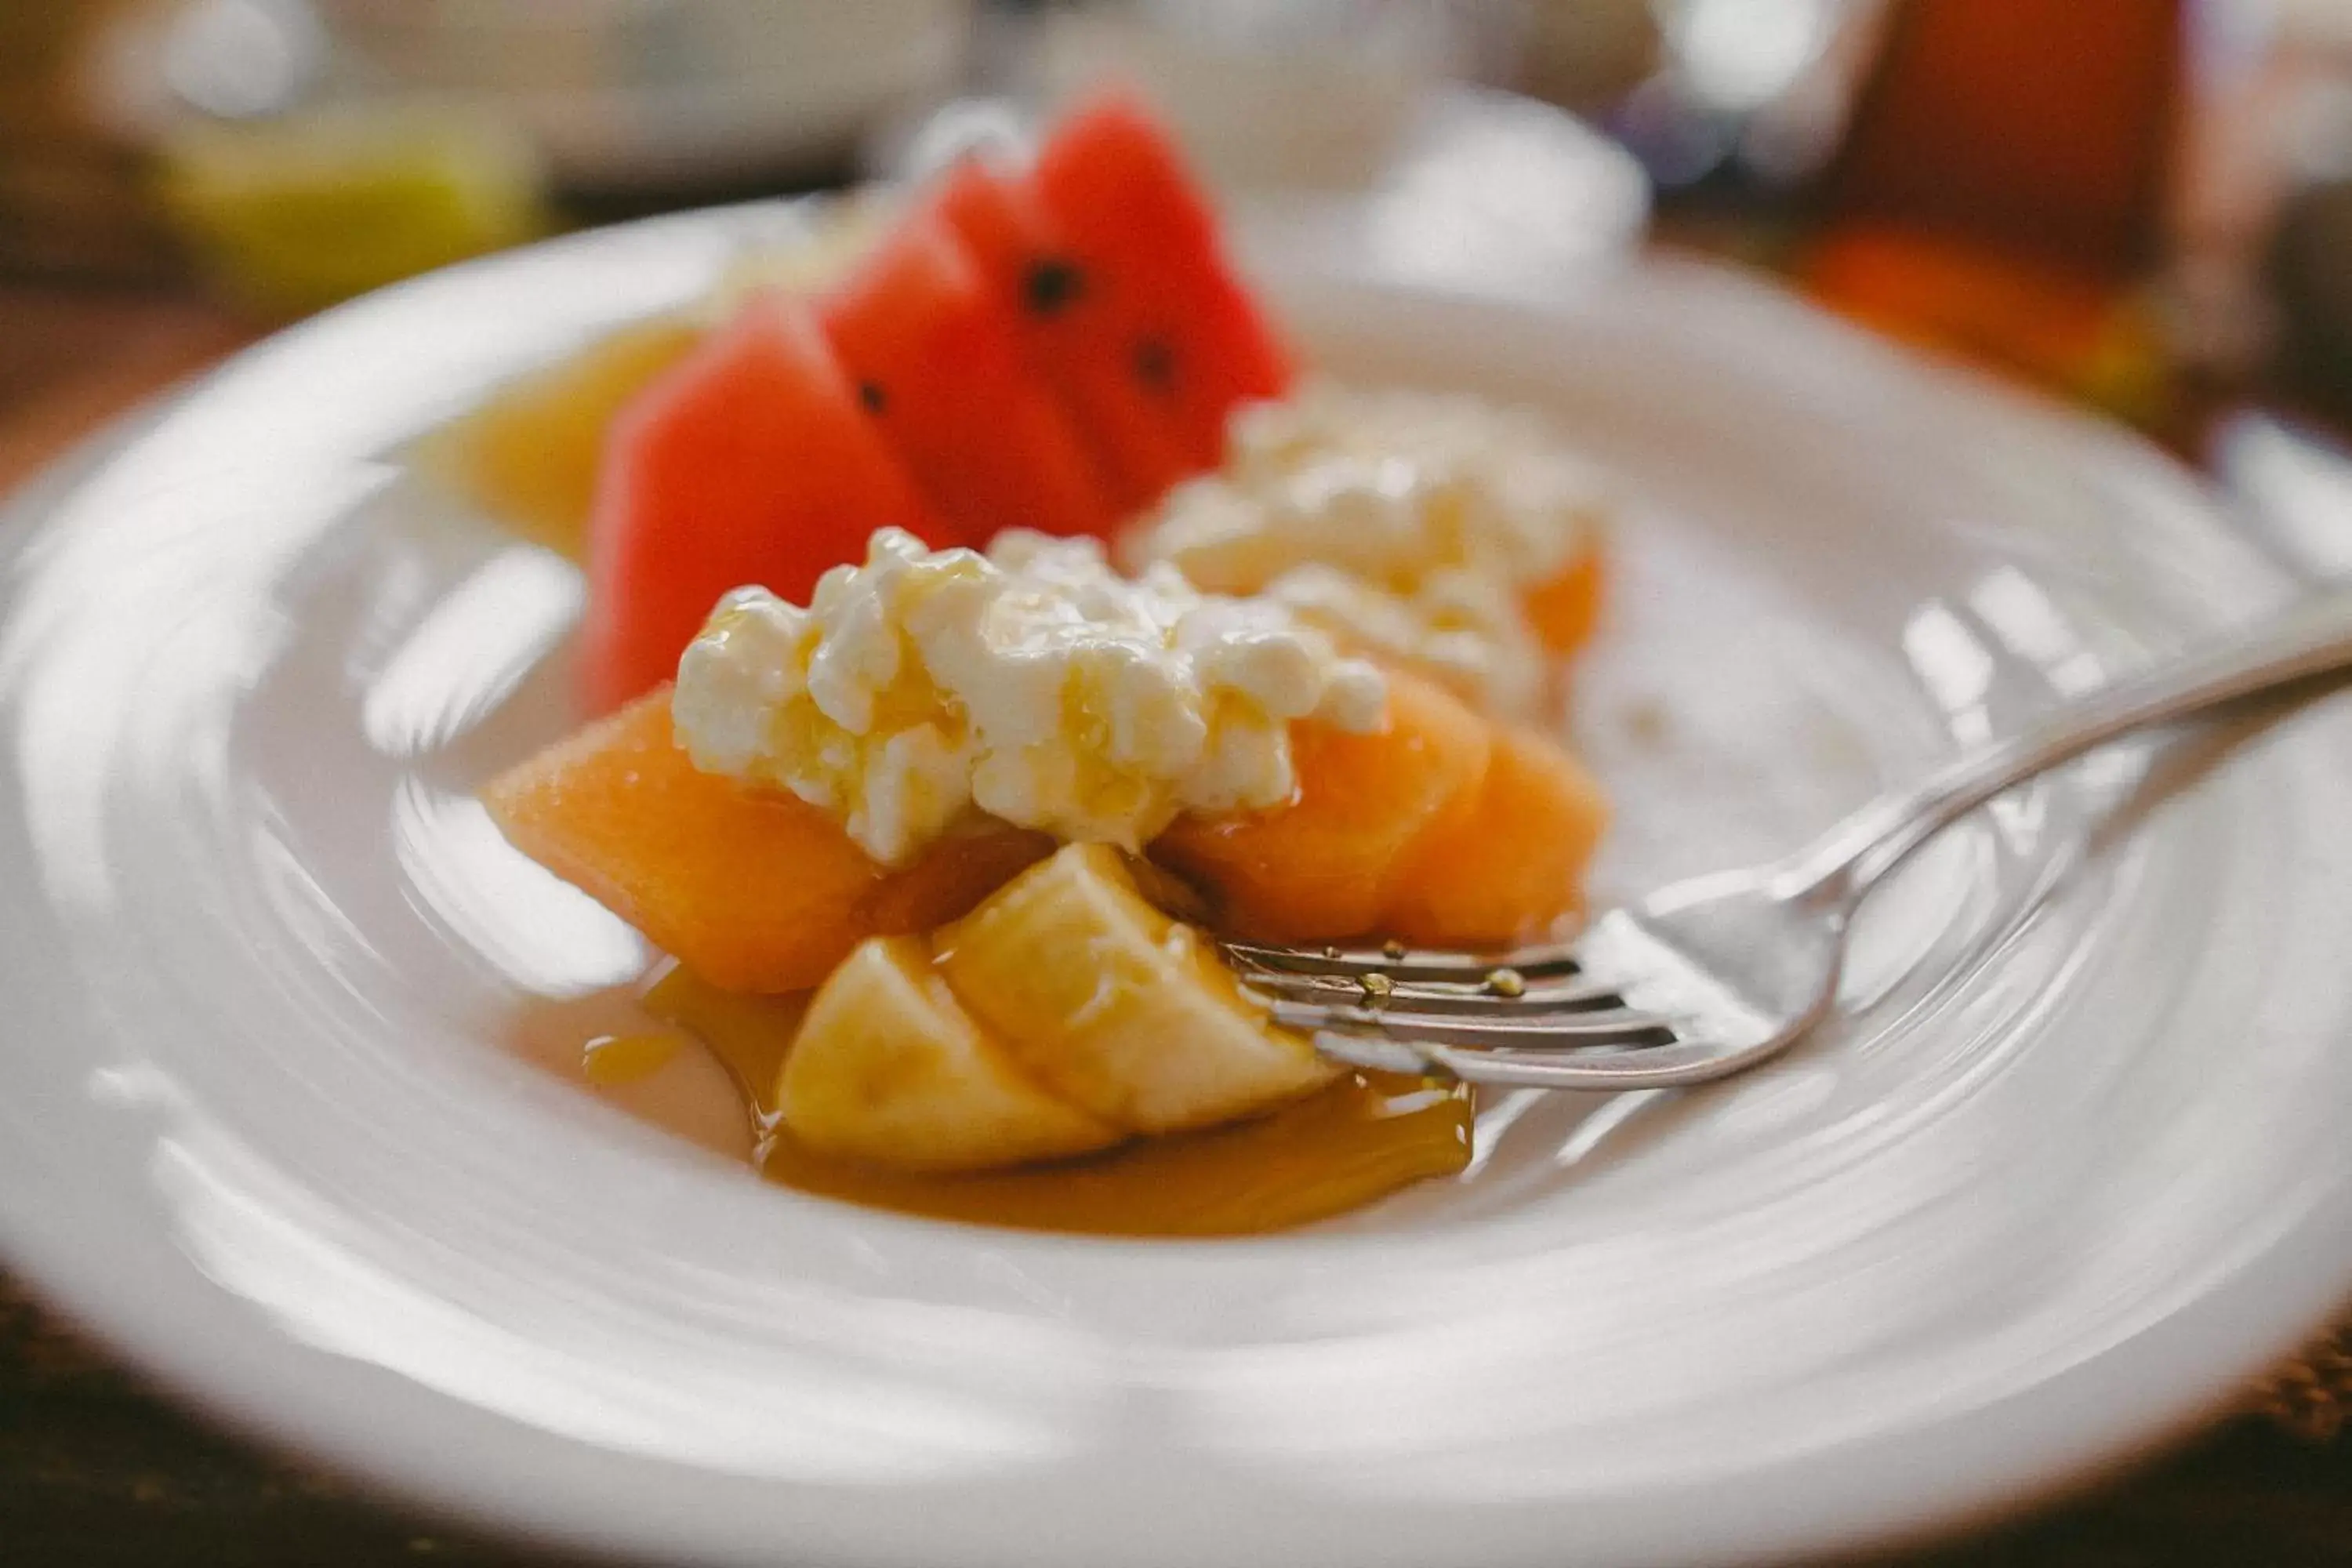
{"x":1328,"y":864}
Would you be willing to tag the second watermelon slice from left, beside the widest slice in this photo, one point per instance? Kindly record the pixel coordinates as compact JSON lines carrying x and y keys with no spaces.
{"x":940,"y":373}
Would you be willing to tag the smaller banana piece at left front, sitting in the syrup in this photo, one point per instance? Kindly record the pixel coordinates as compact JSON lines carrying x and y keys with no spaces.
{"x":888,"y":1068}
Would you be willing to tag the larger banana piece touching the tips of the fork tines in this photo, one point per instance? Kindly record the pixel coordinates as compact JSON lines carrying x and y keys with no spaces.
{"x":1118,"y":1007}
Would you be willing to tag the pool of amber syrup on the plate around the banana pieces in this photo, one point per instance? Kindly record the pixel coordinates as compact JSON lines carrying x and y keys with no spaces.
{"x":702,"y":1064}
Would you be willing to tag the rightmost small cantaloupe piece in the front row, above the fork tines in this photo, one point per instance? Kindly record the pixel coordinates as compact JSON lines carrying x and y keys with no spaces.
{"x":1511,"y":866}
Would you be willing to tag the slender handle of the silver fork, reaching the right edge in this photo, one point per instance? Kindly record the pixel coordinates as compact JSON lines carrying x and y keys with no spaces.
{"x":2311,"y":641}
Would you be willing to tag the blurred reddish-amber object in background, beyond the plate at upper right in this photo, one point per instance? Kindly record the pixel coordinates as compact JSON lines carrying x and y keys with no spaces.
{"x":2005,"y":192}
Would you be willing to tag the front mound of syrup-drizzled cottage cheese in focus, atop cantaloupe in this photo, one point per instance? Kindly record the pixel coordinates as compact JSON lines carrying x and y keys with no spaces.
{"x":1031,"y":683}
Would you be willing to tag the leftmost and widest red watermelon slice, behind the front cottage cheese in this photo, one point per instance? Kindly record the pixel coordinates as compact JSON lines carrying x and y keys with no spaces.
{"x":749,"y":462}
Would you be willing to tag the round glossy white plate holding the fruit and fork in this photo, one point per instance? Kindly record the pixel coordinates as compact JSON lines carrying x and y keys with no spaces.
{"x":2059,"y":1184}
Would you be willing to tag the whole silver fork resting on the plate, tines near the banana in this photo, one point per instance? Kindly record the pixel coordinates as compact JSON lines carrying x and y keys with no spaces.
{"x":1716,"y":974}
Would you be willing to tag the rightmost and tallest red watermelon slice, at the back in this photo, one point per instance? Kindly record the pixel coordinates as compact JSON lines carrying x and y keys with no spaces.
{"x":1144,"y":241}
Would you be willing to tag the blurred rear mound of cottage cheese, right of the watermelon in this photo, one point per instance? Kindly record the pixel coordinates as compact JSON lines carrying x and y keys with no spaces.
{"x":1410,"y":525}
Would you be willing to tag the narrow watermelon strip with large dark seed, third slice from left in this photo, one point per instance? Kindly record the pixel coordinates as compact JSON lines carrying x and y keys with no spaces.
{"x":1067,"y":335}
